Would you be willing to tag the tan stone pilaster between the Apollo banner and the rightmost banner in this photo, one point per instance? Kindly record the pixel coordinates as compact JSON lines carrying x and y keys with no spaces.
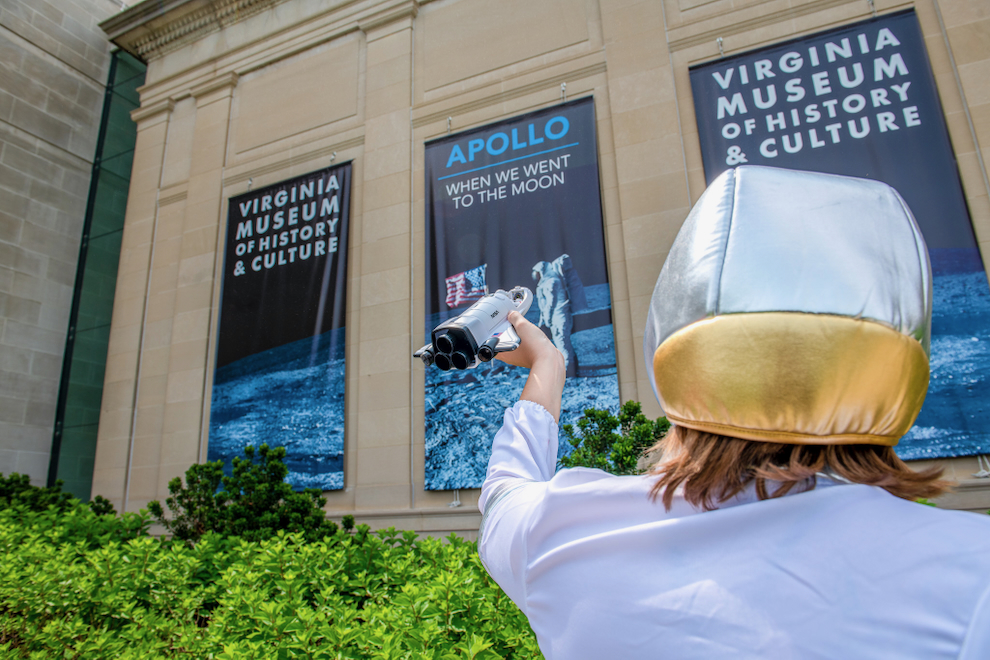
{"x":649,"y":161}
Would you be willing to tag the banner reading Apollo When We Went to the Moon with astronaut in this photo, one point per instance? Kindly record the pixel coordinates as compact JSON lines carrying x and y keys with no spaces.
{"x":516,"y":203}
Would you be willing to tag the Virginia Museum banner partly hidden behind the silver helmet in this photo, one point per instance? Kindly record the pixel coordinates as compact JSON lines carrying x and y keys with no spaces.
{"x":861,"y":101}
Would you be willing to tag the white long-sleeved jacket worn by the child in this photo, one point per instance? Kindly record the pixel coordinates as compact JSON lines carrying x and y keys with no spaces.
{"x":841,"y":571}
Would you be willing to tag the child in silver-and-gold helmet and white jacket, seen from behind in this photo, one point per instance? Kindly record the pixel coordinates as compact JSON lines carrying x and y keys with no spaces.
{"x":787,"y":340}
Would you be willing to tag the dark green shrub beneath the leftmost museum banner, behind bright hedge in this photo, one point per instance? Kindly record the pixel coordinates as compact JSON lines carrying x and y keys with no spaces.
{"x":254,"y":503}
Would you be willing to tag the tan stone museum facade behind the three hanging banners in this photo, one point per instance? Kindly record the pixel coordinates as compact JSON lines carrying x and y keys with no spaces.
{"x":251,"y":92}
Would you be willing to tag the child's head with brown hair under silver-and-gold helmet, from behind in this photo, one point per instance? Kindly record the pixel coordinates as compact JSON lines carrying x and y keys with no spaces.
{"x":794,"y":310}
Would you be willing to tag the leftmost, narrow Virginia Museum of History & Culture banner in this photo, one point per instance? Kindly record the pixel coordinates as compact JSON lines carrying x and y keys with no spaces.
{"x":280,"y":373}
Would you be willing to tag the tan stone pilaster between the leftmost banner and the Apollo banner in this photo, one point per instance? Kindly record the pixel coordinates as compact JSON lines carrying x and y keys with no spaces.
{"x":382,"y":470}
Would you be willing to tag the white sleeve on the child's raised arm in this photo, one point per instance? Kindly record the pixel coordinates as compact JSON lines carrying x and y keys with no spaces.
{"x":524,"y":458}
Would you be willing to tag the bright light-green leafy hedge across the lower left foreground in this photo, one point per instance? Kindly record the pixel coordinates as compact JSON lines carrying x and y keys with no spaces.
{"x":362,"y":595}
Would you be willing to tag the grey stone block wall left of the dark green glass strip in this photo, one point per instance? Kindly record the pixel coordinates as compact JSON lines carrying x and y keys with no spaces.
{"x":53,"y":73}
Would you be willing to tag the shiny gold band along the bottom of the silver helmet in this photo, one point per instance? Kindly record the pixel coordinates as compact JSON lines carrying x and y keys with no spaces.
{"x":790,"y":377}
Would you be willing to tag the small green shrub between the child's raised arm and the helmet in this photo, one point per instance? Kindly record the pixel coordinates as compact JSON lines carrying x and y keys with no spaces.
{"x":612,"y":443}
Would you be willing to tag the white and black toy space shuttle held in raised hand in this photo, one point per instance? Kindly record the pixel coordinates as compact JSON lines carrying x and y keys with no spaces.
{"x":475,"y":336}
